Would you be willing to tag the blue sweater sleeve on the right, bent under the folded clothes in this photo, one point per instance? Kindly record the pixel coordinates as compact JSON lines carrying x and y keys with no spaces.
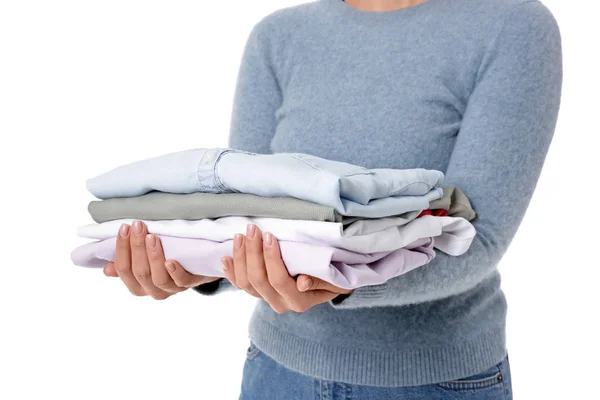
{"x":498,"y":155}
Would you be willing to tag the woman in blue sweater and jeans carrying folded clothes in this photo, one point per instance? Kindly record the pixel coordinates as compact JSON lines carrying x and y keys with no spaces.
{"x":471,"y":88}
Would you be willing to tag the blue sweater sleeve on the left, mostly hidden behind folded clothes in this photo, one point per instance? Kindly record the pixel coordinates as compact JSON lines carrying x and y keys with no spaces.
{"x":257,"y":98}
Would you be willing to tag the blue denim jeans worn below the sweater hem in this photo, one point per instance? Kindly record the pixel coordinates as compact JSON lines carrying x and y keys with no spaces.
{"x":264,"y":379}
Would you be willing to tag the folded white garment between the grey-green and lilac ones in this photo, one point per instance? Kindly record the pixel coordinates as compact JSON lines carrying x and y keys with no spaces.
{"x":451,"y":235}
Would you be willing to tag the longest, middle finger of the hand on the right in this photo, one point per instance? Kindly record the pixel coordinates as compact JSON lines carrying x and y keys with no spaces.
{"x":256,"y":270}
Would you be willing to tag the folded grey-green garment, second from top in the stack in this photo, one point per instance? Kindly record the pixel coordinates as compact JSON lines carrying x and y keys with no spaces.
{"x":156,"y":206}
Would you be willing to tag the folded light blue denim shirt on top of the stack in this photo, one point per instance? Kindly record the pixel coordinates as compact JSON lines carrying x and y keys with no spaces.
{"x":352,"y":190}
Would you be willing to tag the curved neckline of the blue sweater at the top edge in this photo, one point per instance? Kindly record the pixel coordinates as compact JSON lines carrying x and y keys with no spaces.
{"x":346,"y":10}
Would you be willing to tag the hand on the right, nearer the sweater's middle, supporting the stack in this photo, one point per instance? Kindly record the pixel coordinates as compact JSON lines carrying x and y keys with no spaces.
{"x":257,"y":268}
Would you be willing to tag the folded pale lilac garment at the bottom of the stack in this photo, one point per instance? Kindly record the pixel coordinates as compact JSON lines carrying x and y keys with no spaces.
{"x":342,"y":268}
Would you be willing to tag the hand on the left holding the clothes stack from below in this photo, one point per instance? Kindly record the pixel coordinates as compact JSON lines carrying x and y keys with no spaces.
{"x":141,"y":265}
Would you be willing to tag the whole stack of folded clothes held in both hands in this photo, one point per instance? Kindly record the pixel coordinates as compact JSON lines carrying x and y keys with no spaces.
{"x":342,"y":223}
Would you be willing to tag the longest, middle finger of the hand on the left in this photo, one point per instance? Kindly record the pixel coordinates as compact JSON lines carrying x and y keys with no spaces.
{"x":140,"y":264}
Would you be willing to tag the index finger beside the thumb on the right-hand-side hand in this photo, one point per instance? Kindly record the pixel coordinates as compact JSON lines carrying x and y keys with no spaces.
{"x":278,"y":275}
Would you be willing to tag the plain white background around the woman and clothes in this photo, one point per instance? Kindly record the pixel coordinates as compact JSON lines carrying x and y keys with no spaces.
{"x":88,"y":85}
